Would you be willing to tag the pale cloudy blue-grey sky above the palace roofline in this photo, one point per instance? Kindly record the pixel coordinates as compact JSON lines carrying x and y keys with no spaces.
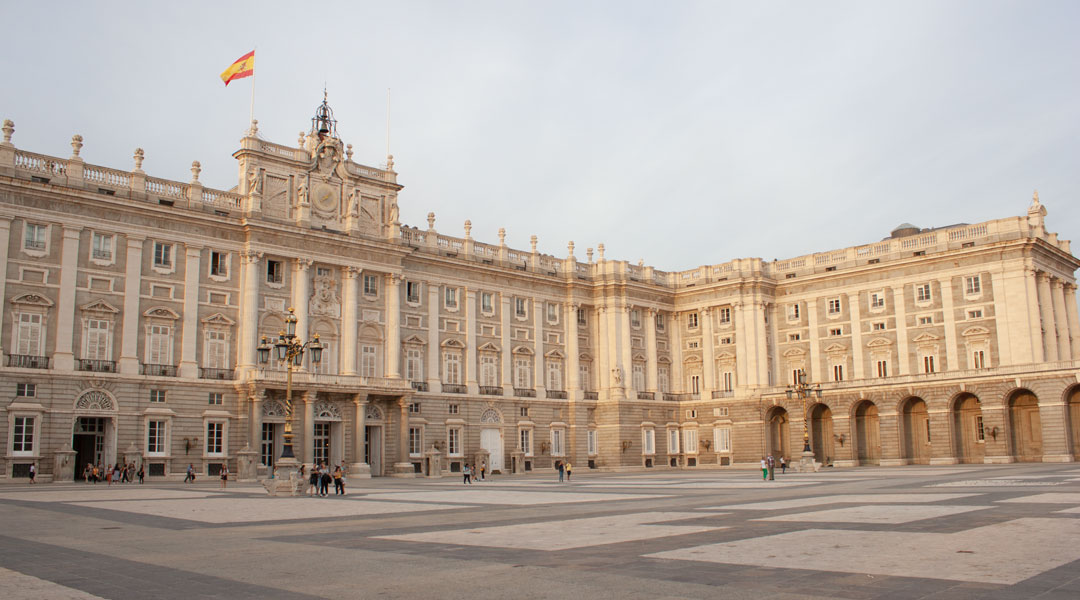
{"x":680,"y":133}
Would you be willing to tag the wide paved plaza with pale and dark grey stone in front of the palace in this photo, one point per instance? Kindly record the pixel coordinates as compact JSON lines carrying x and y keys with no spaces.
{"x":969,"y":531}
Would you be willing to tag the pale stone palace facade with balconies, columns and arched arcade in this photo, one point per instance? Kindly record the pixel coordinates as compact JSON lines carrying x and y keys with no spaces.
{"x":134,"y":311}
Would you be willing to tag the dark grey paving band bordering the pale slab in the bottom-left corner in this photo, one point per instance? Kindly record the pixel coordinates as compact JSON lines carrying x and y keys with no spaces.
{"x":117,"y":579}
